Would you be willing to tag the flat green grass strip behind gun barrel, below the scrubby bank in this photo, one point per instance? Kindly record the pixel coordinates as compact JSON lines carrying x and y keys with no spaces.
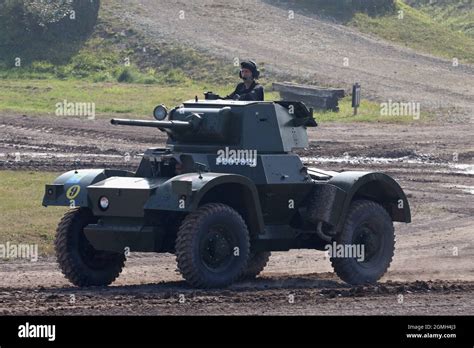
{"x":37,"y":97}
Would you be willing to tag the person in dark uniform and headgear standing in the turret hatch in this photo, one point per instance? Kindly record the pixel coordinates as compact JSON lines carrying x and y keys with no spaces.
{"x":249,"y":89}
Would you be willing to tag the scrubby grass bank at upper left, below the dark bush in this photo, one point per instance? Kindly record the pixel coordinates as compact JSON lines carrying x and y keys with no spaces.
{"x":111,"y":52}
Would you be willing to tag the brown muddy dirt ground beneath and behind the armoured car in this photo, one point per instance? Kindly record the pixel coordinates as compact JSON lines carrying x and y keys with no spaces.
{"x":432,"y":268}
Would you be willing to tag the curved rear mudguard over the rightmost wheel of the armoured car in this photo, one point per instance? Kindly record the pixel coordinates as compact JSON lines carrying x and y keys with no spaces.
{"x":375,"y":186}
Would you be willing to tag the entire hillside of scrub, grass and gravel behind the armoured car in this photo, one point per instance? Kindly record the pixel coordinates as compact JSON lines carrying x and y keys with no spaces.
{"x":152,"y":44}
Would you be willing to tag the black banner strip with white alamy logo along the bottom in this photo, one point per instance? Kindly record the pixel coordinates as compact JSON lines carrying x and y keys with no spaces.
{"x":416,"y":330}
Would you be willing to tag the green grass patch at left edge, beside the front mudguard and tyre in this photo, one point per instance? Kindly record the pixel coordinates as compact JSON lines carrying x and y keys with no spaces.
{"x":24,"y":219}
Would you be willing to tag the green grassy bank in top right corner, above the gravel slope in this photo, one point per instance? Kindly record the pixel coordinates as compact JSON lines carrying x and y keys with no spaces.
{"x":419,"y":31}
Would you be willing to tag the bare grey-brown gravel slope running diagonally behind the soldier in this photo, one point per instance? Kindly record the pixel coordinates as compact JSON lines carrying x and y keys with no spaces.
{"x":307,"y":47}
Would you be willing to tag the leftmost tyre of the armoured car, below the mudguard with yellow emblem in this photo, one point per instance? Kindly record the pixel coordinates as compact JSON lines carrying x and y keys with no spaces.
{"x":79,"y":261}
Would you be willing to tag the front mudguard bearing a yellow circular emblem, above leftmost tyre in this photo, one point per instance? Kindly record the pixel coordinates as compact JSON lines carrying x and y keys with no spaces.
{"x":70,"y":188}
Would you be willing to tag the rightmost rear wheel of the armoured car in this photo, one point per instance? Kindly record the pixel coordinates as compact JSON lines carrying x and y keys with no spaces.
{"x":368,"y":224}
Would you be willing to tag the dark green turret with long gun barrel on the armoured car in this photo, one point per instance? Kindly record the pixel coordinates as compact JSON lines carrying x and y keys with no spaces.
{"x":207,"y":125}
